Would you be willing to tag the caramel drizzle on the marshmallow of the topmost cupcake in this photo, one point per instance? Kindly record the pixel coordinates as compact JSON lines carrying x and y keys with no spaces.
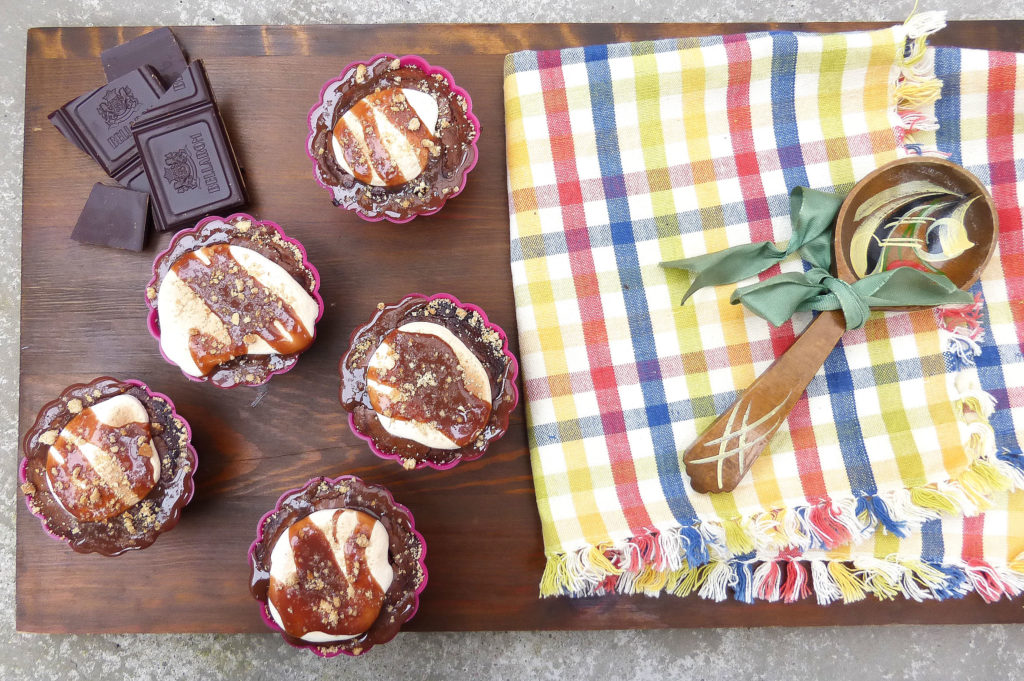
{"x":400,"y":114}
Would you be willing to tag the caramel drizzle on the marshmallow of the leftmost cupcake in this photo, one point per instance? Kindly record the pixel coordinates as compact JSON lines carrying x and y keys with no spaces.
{"x":80,"y":489}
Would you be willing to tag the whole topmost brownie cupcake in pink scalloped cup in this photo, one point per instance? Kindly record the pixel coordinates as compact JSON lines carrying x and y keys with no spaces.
{"x":393,"y":139}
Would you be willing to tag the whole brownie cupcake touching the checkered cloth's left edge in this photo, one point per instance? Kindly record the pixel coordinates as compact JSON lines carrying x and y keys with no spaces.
{"x":429,"y":382}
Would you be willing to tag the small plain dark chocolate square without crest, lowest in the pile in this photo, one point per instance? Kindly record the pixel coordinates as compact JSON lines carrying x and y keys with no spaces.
{"x":114,"y":218}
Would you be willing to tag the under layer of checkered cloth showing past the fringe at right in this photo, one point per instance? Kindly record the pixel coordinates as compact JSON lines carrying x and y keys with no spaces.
{"x":982,"y":126}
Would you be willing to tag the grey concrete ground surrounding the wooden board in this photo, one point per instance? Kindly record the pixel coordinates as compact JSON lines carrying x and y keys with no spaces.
{"x":870,"y":653}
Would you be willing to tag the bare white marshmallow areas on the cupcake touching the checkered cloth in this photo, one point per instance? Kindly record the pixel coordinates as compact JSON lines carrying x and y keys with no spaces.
{"x":386,"y":358}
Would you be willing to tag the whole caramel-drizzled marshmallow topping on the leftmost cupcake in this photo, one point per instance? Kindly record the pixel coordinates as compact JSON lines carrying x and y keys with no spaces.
{"x":104,"y":461}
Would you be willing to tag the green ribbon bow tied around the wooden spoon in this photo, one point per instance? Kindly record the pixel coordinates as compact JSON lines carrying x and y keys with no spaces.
{"x":777,"y":300}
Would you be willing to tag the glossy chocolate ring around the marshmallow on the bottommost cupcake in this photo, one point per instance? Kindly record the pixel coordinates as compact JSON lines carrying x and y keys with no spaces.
{"x":405,"y":554}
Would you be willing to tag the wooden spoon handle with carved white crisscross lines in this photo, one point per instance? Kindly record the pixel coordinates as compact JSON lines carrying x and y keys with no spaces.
{"x":723,"y":454}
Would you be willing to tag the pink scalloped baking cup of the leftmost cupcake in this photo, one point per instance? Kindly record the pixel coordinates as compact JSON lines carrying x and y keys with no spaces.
{"x":190,"y":485}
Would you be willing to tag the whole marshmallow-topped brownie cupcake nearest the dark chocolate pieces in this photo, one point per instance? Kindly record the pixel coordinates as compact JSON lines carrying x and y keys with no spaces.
{"x":234,"y":302}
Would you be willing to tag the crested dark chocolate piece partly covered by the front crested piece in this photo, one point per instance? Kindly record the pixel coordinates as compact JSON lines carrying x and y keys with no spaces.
{"x":100,"y":122}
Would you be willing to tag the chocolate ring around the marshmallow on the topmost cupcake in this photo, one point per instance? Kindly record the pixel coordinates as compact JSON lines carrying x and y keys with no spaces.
{"x":446,"y":168}
